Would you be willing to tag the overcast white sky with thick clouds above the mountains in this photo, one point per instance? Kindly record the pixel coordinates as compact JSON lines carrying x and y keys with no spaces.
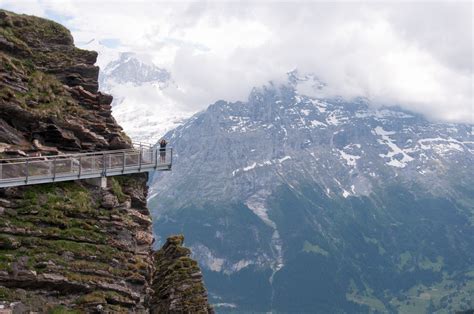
{"x":418,"y":56}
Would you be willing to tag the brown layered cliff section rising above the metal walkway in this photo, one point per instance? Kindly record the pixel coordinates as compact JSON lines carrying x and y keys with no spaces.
{"x":49,"y":92}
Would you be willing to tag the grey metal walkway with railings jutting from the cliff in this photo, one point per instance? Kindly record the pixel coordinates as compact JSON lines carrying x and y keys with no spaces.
{"x":47,"y":169}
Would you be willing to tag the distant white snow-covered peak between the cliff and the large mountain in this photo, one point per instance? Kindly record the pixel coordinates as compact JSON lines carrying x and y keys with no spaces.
{"x":142,"y":104}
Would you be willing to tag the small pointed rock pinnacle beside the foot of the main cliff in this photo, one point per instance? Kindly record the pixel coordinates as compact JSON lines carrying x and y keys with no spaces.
{"x":177,"y":283}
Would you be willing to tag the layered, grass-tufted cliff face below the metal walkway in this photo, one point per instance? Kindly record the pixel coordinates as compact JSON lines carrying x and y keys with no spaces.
{"x":59,"y":244}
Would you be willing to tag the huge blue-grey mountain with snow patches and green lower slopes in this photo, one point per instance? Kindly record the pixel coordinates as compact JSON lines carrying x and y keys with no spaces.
{"x":295,"y":203}
